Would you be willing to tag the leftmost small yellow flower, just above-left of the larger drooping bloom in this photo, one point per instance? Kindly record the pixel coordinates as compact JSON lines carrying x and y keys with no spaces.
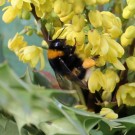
{"x":16,"y":43}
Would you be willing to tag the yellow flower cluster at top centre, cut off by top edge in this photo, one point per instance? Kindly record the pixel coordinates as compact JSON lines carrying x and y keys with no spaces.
{"x":67,"y":9}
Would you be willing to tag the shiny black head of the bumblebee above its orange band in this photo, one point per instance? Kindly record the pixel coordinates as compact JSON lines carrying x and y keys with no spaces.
{"x":57,"y":44}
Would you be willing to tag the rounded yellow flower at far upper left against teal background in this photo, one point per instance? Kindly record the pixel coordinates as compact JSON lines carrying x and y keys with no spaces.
{"x":10,"y":14}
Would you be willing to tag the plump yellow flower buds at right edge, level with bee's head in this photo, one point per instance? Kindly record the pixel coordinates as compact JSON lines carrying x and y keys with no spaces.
{"x":128,"y":36}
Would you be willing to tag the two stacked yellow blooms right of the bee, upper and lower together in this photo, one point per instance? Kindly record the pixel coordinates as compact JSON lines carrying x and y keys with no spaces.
{"x":102,"y":42}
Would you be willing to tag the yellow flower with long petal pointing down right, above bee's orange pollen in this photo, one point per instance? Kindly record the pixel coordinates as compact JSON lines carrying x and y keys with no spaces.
{"x":105,"y":47}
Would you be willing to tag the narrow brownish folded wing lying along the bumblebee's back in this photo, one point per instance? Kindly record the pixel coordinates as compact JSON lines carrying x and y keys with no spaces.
{"x":71,"y":76}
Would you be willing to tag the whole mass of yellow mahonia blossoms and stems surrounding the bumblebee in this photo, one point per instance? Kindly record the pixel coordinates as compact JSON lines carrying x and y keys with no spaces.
{"x":106,"y":35}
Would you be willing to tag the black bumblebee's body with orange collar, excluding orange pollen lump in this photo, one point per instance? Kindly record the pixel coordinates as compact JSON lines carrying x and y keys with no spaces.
{"x":65,"y":62}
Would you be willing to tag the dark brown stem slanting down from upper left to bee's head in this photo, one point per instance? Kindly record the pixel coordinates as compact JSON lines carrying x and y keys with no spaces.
{"x":41,"y":23}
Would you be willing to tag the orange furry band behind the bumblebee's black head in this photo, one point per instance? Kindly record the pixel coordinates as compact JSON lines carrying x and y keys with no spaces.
{"x":54,"y":54}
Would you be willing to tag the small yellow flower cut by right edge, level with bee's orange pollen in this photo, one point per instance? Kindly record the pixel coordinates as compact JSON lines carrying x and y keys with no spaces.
{"x":131,"y":63}
